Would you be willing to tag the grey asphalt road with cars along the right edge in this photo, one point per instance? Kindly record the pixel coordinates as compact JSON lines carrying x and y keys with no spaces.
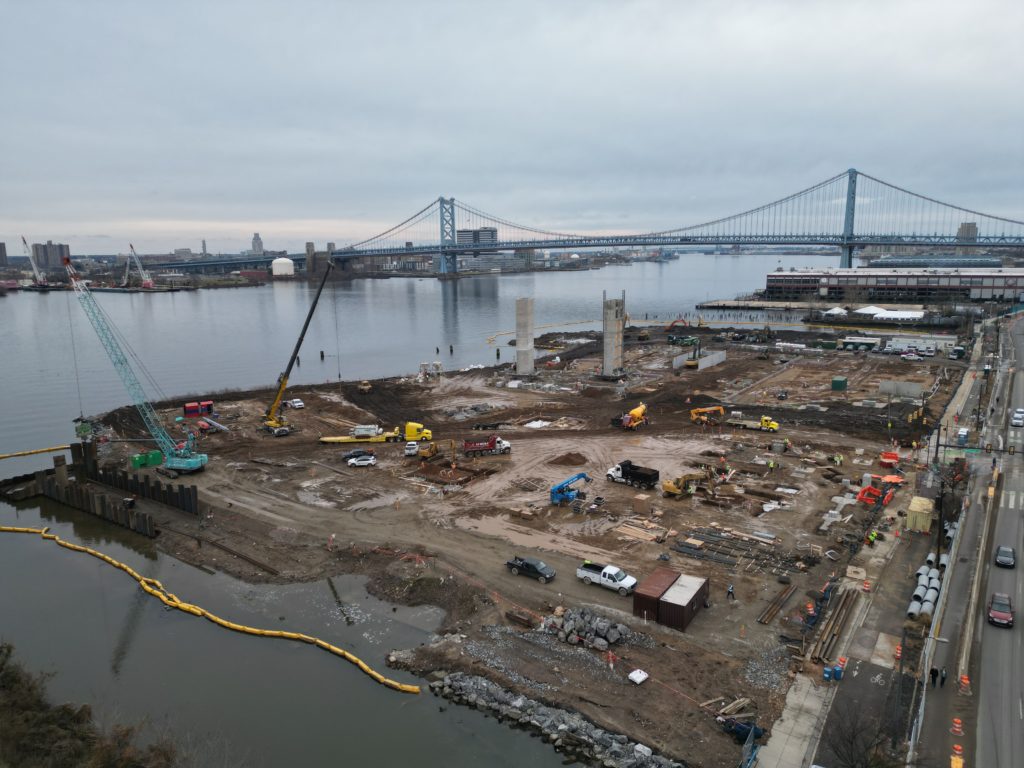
{"x":1001,"y":652}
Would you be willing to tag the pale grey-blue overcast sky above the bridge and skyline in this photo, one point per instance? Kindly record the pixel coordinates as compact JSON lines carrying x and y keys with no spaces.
{"x":165,"y":123}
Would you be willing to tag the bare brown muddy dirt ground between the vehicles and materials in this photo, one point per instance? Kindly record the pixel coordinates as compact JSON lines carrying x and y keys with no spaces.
{"x":290,"y":508}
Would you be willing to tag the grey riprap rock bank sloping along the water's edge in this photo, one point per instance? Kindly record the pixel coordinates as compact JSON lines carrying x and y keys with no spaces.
{"x":568,"y":732}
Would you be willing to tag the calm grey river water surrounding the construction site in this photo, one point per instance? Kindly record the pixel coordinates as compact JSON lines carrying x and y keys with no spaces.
{"x":274,"y":703}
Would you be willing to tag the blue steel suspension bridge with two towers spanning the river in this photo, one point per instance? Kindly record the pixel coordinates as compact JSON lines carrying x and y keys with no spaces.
{"x":850,"y":210}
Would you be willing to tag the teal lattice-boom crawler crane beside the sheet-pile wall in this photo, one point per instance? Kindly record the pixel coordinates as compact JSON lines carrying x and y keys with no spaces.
{"x":178,"y":457}
